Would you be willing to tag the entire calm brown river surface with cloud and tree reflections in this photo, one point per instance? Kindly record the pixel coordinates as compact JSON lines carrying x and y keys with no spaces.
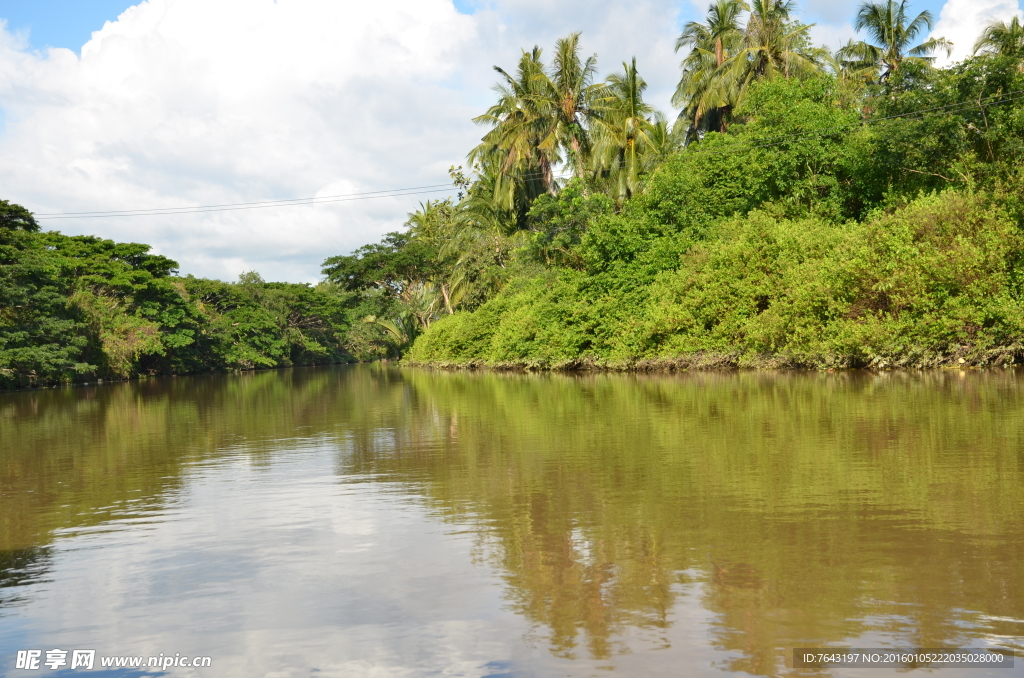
{"x":376,"y":522}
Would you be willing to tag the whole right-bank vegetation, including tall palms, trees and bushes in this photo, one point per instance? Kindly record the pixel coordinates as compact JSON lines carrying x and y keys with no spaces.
{"x":807,"y":209}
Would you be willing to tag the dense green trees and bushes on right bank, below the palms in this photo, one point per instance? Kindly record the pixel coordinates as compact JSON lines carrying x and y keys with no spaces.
{"x":834,"y":225}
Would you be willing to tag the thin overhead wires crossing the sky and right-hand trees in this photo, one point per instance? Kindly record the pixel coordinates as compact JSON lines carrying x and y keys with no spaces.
{"x":920,"y":114}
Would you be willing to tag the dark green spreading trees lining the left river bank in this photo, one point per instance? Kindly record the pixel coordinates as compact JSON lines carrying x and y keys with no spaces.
{"x":79,"y":309}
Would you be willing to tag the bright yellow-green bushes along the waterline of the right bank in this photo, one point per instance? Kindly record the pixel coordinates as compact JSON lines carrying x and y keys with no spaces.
{"x":935,"y":282}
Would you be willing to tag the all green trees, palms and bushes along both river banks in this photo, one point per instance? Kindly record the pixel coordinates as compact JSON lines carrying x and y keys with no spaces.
{"x":803,"y":208}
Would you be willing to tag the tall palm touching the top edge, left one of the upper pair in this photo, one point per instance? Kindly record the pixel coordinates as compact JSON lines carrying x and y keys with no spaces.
{"x":702,"y":92}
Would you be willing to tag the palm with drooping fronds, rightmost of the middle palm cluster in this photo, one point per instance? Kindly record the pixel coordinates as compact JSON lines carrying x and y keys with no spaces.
{"x":627,"y":133}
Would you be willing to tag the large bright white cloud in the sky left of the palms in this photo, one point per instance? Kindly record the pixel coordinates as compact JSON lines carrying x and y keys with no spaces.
{"x":194,"y":103}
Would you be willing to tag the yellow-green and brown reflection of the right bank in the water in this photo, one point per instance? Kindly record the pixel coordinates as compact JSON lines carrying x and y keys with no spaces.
{"x":813,"y":510}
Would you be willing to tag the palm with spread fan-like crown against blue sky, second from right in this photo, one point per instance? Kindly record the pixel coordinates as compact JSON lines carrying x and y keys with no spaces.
{"x":888,"y":27}
